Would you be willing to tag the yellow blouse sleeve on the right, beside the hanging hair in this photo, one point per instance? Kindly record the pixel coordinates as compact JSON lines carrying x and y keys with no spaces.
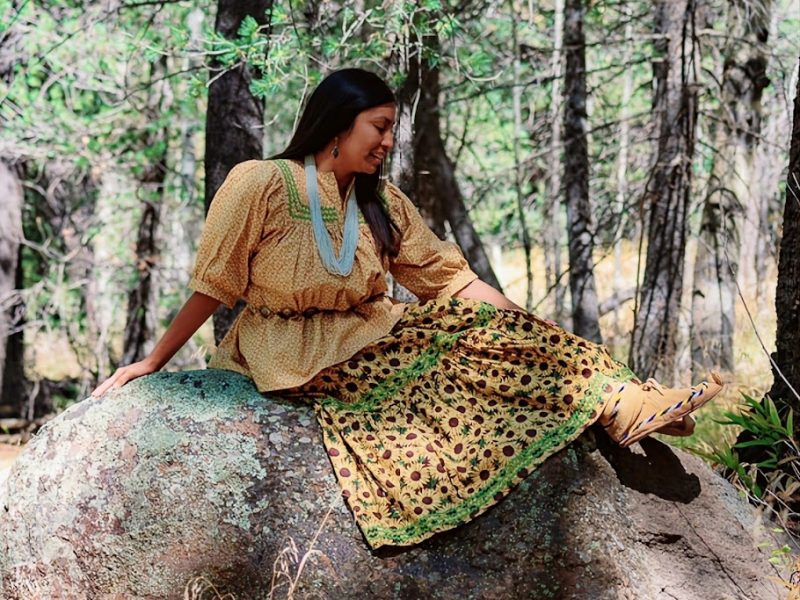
{"x":427,"y":266}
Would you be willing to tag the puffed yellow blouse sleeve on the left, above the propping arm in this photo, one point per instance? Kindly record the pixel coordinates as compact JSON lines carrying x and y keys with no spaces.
{"x":231,"y":232}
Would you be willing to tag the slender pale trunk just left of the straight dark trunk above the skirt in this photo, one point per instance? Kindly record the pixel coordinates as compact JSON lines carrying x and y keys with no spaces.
{"x":553,"y":229}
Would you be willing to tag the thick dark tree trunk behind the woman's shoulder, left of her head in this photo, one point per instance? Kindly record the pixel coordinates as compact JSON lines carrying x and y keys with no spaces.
{"x":234,"y":120}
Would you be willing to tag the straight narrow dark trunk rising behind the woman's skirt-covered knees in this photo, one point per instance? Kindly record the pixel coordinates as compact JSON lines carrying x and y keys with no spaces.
{"x":585,"y":317}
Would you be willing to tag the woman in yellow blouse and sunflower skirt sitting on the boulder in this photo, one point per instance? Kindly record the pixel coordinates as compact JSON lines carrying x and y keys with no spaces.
{"x":431,"y":411}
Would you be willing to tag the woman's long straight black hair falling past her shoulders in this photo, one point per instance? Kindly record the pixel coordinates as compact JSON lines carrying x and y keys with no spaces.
{"x":331,"y":109}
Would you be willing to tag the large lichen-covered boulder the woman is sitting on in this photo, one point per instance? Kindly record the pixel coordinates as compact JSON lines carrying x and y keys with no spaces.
{"x":178,"y":475}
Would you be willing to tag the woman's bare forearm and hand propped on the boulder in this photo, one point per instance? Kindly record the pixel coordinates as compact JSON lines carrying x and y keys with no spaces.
{"x":193,"y":314}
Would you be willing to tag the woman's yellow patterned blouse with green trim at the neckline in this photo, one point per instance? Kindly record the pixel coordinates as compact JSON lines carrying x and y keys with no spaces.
{"x":258,"y":244}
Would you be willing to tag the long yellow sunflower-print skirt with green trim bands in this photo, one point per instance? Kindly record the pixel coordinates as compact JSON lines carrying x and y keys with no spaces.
{"x":431,"y":425}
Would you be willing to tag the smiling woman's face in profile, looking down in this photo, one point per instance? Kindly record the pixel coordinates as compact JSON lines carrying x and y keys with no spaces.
{"x":369,"y":140}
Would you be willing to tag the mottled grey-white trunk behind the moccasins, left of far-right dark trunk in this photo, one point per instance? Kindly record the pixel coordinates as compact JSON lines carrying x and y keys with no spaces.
{"x":730,"y":191}
